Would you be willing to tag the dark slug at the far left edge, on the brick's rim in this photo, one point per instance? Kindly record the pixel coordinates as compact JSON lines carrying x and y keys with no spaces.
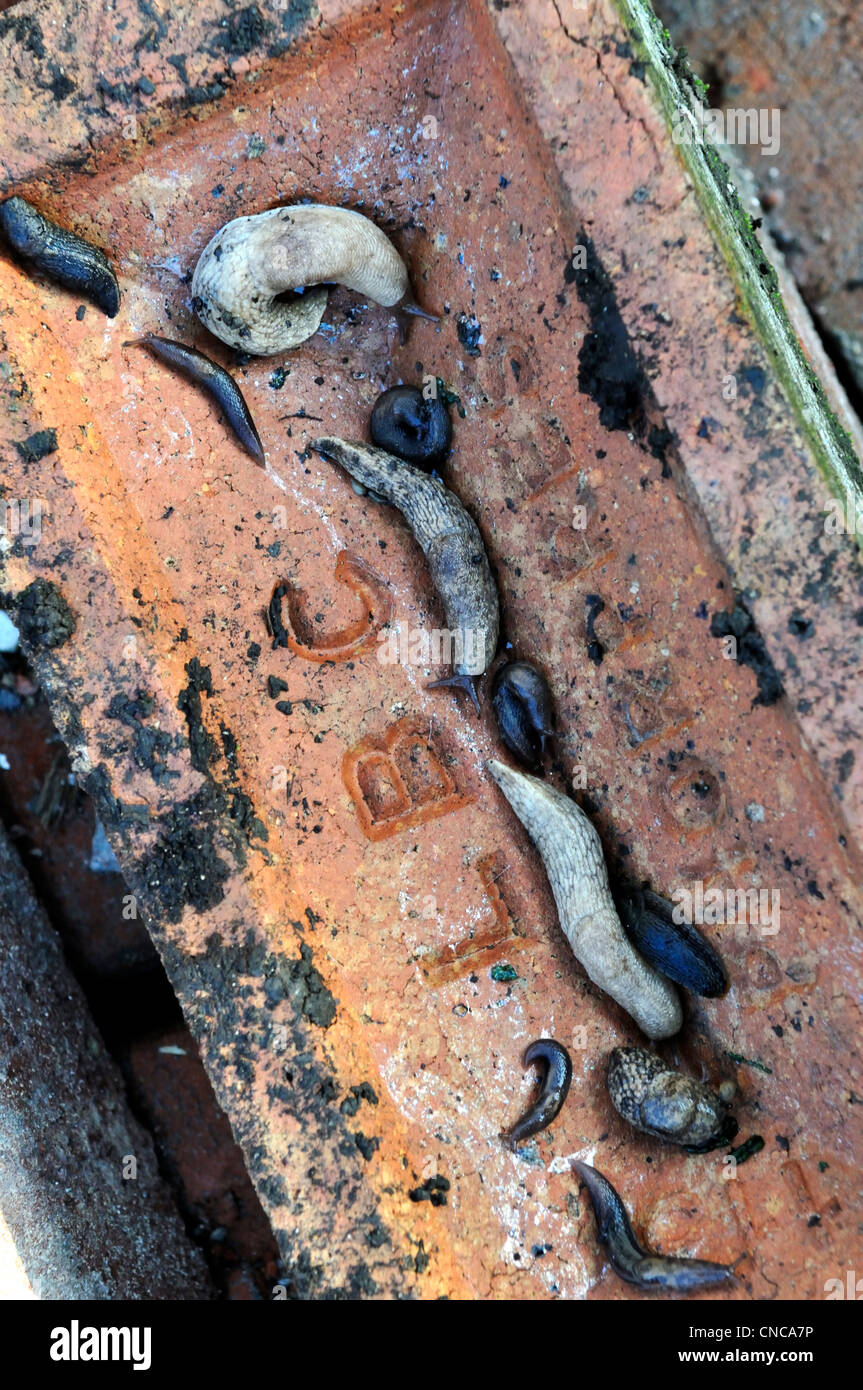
{"x":60,"y":255}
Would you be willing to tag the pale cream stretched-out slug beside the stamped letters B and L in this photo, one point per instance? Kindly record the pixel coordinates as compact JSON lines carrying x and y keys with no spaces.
{"x":573,"y":858}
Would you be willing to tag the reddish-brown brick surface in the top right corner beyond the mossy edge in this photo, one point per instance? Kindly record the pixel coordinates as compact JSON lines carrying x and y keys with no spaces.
{"x":807,"y":62}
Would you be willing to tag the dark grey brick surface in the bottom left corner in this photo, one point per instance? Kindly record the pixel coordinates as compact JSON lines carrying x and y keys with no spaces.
{"x":83,"y":1227}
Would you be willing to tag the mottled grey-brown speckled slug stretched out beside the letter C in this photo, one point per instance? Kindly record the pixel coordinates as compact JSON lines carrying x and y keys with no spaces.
{"x":452,"y":546}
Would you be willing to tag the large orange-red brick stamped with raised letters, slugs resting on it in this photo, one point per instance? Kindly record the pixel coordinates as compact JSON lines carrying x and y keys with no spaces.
{"x":338,"y":974}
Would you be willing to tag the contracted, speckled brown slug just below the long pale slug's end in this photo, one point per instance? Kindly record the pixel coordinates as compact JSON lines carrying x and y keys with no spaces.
{"x":664,"y":1103}
